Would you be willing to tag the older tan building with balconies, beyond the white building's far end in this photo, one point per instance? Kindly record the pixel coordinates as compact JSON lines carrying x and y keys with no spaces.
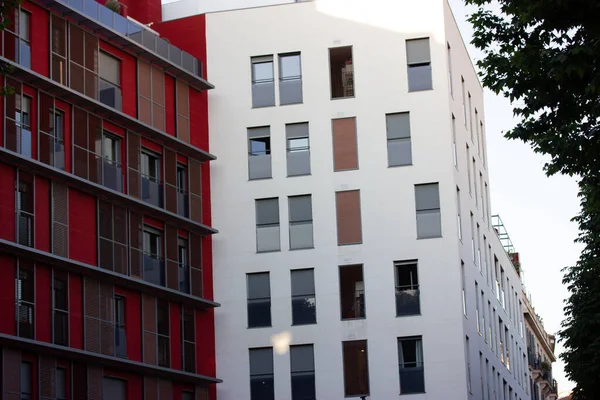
{"x":540,"y":351}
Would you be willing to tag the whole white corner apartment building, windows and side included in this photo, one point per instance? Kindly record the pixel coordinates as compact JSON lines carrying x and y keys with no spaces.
{"x":352,"y":199}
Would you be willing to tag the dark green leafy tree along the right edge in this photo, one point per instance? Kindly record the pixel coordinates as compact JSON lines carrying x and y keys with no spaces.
{"x":544,"y":55}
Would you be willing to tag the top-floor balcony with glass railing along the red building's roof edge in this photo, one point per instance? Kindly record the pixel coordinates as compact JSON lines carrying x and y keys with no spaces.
{"x":132,"y":37}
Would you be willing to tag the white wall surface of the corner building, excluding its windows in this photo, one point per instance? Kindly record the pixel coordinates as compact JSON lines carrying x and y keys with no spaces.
{"x":377,"y":30}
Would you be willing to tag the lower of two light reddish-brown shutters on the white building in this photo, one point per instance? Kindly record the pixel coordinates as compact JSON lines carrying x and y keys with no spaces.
{"x":348,"y":217}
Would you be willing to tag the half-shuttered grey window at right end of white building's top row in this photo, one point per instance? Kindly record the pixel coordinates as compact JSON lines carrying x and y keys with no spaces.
{"x":419,"y":65}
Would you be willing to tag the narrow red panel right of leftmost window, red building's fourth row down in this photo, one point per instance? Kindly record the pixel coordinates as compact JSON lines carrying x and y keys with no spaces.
{"x":43,"y":303}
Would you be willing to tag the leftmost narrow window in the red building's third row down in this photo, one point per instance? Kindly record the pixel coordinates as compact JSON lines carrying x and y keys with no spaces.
{"x":25,"y":209}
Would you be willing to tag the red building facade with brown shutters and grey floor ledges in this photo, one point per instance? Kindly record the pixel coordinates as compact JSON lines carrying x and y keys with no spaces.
{"x":105,"y":223}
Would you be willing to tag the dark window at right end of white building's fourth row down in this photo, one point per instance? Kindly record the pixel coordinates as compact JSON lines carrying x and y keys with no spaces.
{"x":407,"y":288}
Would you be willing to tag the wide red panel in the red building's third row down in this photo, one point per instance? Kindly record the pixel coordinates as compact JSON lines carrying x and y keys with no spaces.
{"x":82,"y":227}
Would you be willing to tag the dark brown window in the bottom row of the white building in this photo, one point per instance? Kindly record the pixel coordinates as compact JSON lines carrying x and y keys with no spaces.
{"x":356,"y":368}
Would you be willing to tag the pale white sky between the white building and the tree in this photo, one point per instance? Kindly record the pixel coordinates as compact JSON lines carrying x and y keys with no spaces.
{"x":536,"y":210}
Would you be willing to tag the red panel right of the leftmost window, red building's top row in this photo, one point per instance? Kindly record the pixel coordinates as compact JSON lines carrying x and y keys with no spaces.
{"x":40,"y":45}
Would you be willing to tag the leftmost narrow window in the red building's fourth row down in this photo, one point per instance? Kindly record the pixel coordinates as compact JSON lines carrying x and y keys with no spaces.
{"x":25,"y":299}
